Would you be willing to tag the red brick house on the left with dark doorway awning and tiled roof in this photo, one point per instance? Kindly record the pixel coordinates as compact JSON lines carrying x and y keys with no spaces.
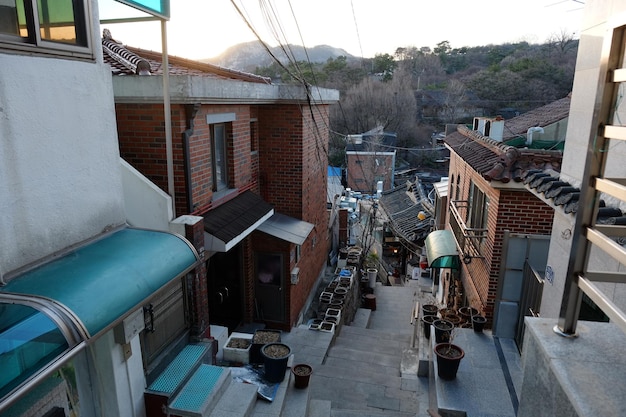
{"x":250,"y":157}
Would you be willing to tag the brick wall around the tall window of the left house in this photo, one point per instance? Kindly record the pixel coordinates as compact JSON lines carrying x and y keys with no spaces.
{"x":142,"y":144}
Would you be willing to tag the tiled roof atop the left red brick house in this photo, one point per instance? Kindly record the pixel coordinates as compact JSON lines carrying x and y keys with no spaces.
{"x":126,"y":60}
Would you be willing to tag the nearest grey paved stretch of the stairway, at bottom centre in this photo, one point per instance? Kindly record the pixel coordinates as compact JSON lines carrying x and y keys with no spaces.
{"x":362,"y":376}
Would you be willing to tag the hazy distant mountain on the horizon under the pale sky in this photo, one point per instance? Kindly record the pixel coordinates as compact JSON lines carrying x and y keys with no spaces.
{"x":247,"y":56}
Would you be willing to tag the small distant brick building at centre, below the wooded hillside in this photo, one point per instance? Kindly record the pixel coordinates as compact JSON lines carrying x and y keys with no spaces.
{"x":371,"y":159}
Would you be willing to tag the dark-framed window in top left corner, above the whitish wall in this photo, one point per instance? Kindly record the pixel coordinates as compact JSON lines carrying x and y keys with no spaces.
{"x":49,"y":26}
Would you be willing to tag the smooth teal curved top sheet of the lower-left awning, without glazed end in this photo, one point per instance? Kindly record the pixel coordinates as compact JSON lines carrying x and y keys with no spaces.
{"x":103,"y":281}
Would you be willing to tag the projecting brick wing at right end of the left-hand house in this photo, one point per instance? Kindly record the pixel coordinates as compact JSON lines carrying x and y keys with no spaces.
{"x":293,"y":144}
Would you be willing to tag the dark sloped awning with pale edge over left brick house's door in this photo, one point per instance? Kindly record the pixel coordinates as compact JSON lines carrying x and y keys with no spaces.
{"x":231,"y":222}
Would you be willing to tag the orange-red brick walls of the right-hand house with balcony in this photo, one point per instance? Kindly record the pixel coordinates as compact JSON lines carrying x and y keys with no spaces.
{"x":516,"y":210}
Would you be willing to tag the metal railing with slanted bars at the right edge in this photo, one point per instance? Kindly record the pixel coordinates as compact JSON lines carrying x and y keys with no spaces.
{"x":608,"y":239}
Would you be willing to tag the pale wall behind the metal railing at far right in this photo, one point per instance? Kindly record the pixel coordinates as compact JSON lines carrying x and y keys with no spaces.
{"x":596,"y":17}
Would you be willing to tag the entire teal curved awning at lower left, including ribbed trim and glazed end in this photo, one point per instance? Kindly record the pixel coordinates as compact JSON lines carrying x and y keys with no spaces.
{"x":54,"y":309}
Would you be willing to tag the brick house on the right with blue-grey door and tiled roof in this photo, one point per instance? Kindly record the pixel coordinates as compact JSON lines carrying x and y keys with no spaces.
{"x":501,"y":229}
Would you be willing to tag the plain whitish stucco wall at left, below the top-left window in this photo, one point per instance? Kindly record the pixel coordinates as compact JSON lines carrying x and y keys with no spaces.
{"x":60,"y":179}
